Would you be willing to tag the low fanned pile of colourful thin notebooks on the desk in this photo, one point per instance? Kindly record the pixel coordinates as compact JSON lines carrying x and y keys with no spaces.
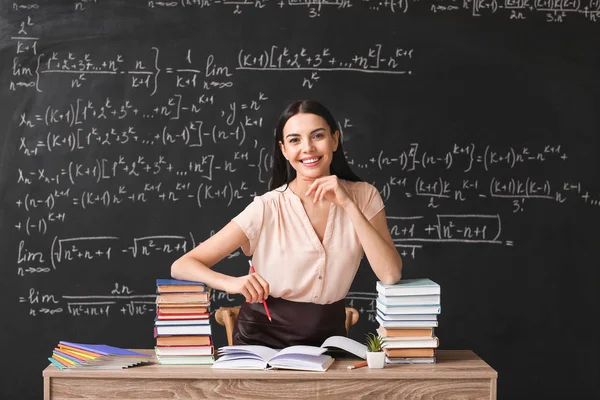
{"x":69,"y":355}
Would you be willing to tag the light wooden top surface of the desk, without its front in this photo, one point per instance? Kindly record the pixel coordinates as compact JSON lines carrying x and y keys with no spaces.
{"x":451,"y":364}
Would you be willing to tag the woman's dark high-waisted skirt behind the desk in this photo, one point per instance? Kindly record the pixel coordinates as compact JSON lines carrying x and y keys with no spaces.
{"x":293,"y":323}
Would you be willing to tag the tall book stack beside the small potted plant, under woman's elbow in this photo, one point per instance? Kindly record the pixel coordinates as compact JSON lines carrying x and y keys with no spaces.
{"x":407,"y":314}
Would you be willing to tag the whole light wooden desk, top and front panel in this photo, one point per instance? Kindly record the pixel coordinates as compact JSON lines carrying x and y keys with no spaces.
{"x":459,"y":374}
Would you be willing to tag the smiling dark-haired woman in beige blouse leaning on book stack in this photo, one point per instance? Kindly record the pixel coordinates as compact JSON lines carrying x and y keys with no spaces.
{"x":306,"y":237}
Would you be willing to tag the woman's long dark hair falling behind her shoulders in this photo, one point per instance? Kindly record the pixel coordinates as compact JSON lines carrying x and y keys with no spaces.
{"x":283,"y":173}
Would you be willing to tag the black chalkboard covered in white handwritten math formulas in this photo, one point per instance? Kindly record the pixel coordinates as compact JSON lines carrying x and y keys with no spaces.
{"x":133,"y":130}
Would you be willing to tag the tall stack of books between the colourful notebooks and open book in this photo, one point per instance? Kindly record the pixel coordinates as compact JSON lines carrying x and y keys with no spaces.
{"x":182,"y":325}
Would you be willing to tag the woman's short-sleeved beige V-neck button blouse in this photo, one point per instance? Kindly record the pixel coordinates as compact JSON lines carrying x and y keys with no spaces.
{"x":287,"y":252}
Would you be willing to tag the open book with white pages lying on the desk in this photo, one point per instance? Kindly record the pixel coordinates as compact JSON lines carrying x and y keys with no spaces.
{"x":305,"y":358}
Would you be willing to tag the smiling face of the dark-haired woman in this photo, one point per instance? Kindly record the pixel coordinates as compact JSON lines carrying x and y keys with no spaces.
{"x":308,"y":144}
